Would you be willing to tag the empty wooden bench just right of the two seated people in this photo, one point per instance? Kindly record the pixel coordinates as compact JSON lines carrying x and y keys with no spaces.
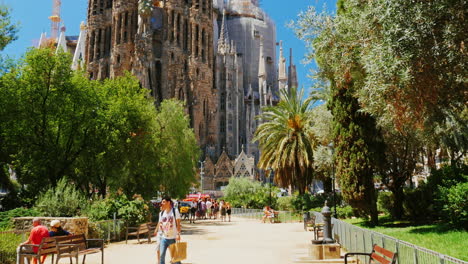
{"x":76,"y":245}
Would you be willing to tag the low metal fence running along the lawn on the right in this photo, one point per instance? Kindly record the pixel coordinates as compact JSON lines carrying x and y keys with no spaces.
{"x":356,"y":239}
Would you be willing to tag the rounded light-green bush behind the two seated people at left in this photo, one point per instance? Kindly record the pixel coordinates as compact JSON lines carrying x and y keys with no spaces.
{"x":65,"y":200}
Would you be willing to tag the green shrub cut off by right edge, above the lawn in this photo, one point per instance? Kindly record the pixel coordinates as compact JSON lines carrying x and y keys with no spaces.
{"x":455,"y":205}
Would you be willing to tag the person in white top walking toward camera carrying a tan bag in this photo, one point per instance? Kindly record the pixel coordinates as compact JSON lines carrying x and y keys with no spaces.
{"x":169,"y":225}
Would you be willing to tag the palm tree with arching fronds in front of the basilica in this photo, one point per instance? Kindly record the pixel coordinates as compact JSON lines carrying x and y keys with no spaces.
{"x":286,"y":140}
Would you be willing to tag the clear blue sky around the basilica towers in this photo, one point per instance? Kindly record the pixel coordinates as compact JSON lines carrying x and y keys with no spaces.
{"x":33,"y":18}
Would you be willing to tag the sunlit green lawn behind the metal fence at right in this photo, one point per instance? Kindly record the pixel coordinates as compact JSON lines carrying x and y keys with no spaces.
{"x":438,"y":237}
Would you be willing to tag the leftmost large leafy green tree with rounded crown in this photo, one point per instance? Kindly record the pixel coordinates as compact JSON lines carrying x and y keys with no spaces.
{"x":47,"y":118}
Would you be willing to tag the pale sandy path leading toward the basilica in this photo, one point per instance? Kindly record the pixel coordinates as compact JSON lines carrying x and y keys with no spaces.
{"x":213,"y":242}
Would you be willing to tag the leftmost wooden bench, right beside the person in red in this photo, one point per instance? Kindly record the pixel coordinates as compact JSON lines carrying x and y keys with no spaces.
{"x":46,"y":247}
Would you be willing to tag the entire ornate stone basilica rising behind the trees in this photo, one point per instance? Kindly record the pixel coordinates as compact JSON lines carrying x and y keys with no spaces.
{"x":218,"y":56}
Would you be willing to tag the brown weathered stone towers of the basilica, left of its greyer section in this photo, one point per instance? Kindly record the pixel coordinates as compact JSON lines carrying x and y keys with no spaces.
{"x":167,"y":44}
